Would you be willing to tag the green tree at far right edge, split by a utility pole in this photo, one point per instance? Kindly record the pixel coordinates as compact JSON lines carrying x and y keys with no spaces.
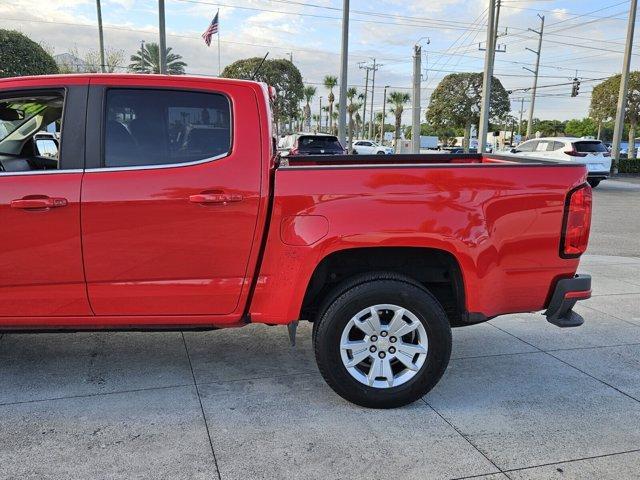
{"x":604,"y":103}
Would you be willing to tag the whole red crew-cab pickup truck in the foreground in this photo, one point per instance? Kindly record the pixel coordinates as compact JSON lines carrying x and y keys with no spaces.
{"x":151,"y":202}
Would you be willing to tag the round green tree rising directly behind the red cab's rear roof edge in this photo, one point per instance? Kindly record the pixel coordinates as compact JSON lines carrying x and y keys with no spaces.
{"x":280,"y":74}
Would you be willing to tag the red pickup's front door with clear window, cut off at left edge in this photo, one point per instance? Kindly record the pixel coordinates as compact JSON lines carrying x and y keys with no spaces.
{"x":41,"y":161}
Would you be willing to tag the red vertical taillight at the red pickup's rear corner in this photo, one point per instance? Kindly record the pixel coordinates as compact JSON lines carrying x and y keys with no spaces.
{"x":576,"y":223}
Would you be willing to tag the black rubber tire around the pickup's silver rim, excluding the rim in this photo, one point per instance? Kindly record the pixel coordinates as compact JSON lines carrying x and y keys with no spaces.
{"x":367,"y":290}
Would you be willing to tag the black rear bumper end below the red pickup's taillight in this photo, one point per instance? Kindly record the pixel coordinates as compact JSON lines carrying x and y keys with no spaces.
{"x":567,"y":292}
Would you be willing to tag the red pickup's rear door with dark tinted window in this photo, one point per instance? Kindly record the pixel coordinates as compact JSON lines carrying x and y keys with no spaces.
{"x":170,"y":203}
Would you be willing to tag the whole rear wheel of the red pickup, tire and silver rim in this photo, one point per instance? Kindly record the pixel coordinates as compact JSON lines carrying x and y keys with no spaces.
{"x":382,"y":343}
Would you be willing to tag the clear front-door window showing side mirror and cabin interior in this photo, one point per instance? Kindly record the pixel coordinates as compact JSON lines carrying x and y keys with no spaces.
{"x":30,"y":131}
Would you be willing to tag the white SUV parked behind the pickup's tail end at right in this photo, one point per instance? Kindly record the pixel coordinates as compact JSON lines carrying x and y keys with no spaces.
{"x":592,"y":153}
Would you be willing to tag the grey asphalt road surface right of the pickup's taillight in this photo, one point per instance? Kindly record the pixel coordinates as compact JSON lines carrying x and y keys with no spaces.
{"x":616,"y":218}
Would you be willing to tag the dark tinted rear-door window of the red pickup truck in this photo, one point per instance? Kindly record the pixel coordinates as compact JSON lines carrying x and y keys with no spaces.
{"x":161,"y":127}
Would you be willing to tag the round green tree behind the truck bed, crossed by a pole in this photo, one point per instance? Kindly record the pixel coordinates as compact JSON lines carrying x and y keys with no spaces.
{"x":455,"y":103}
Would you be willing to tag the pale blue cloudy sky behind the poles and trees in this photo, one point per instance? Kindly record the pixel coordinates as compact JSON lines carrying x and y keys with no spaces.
{"x":585,"y":36}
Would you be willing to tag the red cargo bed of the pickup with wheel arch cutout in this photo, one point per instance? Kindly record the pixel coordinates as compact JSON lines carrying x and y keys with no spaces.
{"x":500,"y":218}
